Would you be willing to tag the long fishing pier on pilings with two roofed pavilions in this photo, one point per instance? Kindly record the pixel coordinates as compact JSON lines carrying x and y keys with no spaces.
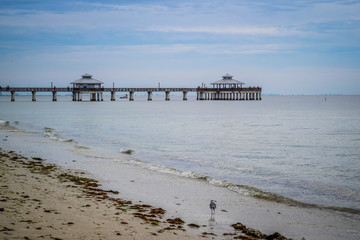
{"x":225,"y":89}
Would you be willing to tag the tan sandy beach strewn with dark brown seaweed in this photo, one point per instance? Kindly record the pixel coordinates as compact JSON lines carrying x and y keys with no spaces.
{"x":44,"y":200}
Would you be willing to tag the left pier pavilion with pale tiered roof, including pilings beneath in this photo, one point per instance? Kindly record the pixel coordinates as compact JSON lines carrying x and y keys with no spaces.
{"x":87,"y":84}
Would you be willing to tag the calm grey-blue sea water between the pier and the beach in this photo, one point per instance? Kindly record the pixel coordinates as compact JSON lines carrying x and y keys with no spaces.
{"x":294,"y":150}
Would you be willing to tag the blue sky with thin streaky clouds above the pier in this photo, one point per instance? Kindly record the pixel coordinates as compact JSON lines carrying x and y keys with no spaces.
{"x":286,"y":47}
